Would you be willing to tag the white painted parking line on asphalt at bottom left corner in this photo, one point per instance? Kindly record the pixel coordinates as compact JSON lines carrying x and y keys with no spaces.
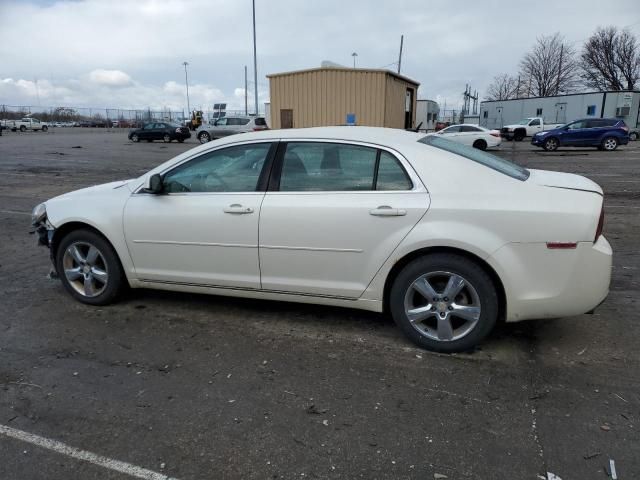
{"x":105,"y":462}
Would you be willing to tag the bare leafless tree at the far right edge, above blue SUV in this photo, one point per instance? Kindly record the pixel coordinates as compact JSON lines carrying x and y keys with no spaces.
{"x":610,"y":60}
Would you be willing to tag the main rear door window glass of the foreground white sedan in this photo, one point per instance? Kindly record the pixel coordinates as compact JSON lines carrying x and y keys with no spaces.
{"x":327,"y":167}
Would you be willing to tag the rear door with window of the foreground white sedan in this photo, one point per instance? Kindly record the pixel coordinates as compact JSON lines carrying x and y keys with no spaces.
{"x":333,"y":215}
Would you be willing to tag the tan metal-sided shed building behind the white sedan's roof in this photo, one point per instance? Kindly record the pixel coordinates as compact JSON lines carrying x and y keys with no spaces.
{"x":342,"y":96}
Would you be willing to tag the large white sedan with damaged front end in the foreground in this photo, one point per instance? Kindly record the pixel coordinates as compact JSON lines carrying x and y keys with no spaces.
{"x":446,"y":238}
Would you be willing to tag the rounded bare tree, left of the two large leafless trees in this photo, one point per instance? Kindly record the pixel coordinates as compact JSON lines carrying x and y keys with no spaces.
{"x":550,"y":68}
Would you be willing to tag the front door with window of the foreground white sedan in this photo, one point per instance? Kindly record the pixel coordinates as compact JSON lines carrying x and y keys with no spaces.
{"x":204,"y":229}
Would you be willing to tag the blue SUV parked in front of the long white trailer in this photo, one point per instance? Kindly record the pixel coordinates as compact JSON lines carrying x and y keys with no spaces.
{"x":603,"y":133}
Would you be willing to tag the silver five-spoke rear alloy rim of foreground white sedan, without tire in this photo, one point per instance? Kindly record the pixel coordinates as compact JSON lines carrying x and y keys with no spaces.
{"x":442,"y":306}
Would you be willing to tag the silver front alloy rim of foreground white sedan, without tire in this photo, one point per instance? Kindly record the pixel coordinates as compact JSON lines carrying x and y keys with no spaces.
{"x":85,"y":269}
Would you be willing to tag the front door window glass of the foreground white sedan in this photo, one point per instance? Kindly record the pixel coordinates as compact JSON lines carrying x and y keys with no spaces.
{"x":233,"y":169}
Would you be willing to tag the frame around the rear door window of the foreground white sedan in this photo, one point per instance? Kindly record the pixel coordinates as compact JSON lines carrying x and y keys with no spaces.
{"x":276,"y":169}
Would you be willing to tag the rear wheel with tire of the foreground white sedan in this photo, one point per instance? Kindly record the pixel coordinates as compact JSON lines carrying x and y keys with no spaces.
{"x":476,"y":297}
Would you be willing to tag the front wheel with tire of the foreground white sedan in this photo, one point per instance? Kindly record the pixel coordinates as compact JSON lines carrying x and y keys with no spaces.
{"x":89,"y":277}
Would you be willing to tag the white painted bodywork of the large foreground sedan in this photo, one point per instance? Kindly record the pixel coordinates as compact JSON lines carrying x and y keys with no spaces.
{"x":325,"y":248}
